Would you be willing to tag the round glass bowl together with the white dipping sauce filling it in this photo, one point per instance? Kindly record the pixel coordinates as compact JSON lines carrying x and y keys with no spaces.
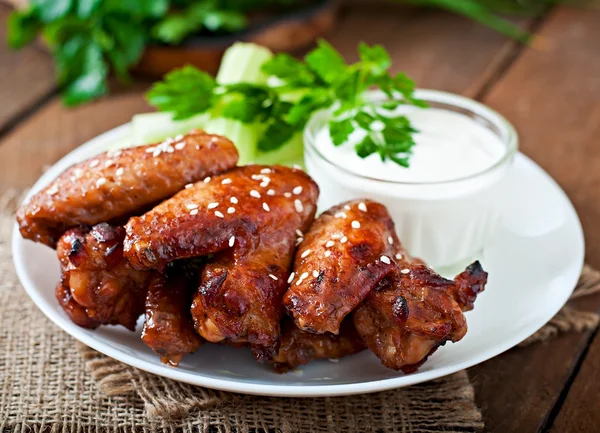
{"x":445,"y":204}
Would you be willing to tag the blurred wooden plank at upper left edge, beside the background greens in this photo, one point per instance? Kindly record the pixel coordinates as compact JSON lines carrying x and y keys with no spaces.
{"x":27,"y":77}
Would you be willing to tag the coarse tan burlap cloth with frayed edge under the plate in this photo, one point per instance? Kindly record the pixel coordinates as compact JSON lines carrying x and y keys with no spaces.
{"x":51,"y":383}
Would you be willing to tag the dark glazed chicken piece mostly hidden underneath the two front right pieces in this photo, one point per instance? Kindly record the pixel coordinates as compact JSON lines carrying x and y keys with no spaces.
{"x":300,"y":347}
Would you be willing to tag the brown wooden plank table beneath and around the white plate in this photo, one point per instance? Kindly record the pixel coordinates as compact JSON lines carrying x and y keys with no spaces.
{"x":551,"y":94}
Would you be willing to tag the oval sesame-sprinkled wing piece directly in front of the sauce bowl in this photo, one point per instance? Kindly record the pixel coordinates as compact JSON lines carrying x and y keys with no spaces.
{"x":338,"y":264}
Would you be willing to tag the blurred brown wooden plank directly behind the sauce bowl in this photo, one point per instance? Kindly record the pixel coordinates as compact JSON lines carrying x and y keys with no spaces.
{"x":435,"y":48}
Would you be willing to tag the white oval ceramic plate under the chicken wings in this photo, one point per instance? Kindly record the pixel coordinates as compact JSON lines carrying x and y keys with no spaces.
{"x":533,"y":264}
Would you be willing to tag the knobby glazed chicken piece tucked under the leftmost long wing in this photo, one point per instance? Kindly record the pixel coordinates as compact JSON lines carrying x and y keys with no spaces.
{"x":97,"y":286}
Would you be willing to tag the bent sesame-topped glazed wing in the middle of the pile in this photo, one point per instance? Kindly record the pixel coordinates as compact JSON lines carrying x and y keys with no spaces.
{"x":249,"y":218}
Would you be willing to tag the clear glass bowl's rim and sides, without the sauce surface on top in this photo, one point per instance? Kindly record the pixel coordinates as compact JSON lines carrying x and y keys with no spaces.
{"x":447,"y":223}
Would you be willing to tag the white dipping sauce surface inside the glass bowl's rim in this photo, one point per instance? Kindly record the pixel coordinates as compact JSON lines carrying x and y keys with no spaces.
{"x":449,"y":146}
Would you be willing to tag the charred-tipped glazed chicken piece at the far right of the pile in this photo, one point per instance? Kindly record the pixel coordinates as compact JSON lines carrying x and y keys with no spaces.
{"x":404,"y":321}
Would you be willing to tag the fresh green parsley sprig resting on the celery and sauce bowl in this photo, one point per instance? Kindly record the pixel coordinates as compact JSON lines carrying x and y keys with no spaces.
{"x":296,"y":90}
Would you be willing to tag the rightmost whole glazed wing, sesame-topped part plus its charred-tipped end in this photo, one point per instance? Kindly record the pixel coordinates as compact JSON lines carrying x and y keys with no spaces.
{"x":401,"y":308}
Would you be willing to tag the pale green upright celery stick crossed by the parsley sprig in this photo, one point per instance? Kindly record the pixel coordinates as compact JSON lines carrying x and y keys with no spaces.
{"x":241,"y":63}
